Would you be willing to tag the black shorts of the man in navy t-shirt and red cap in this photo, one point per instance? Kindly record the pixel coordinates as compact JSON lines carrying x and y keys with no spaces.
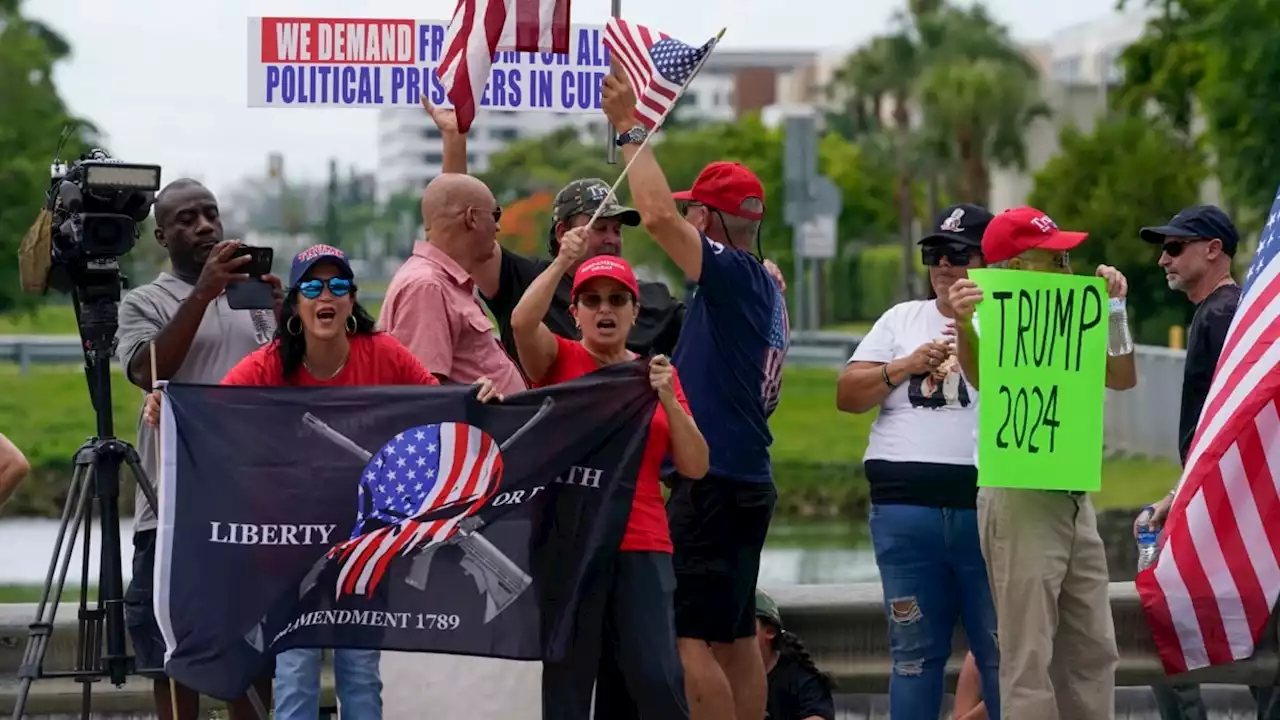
{"x":719,"y":527}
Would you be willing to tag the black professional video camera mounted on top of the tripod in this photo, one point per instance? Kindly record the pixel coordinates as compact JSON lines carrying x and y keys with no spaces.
{"x":95,"y":207}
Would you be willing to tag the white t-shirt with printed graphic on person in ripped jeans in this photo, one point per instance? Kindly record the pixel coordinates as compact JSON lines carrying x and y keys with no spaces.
{"x":922,"y":421}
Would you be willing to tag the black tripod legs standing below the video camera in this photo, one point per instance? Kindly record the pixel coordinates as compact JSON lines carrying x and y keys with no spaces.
{"x":97,"y":479}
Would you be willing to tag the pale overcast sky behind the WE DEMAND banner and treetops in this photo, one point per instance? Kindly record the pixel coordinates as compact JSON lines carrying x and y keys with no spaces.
{"x":166,"y":80}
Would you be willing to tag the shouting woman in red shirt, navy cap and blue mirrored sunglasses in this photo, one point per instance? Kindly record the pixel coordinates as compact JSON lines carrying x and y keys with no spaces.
{"x":327,"y":339}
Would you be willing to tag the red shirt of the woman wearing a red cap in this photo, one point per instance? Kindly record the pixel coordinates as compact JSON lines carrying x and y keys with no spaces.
{"x":647,"y":526}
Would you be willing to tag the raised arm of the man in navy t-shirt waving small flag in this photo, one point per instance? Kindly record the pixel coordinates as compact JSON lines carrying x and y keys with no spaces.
{"x":650,"y":189}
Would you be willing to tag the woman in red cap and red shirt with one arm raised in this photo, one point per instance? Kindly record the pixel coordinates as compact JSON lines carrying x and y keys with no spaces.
{"x":641,"y":671}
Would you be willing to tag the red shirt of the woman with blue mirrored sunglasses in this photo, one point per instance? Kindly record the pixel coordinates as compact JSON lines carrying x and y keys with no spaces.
{"x":376,"y":359}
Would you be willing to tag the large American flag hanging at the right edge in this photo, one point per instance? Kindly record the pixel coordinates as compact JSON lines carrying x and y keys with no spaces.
{"x":1212,"y":591}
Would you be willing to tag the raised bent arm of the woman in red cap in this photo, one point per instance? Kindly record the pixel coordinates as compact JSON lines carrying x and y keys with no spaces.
{"x":536,"y":345}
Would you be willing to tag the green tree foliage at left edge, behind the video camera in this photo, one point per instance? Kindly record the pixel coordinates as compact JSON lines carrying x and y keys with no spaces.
{"x":33,"y":117}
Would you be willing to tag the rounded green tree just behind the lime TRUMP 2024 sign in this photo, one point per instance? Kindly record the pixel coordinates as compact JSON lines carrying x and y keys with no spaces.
{"x":1131,"y":172}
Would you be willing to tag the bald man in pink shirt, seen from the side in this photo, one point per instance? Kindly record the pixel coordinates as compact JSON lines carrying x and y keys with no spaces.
{"x":431,"y":306}
